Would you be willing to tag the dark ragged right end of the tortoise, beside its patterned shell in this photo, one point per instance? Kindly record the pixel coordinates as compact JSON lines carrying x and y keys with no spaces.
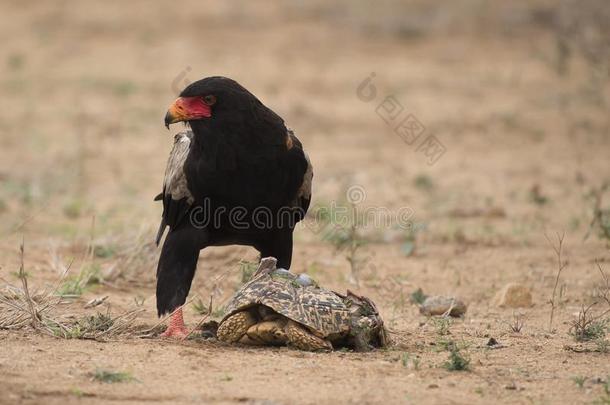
{"x":367,"y":330}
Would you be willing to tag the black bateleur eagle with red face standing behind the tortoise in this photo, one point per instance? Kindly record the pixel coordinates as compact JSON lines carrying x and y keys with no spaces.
{"x":237,"y":176}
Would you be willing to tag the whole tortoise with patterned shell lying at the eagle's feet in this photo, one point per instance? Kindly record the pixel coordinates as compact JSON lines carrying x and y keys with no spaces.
{"x":277,"y":307}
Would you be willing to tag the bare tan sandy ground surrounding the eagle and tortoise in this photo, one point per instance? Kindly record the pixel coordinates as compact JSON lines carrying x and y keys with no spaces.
{"x":85,"y":86}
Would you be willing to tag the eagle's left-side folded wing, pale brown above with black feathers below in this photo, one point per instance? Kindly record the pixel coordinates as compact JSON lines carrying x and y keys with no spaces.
{"x":176,"y":196}
